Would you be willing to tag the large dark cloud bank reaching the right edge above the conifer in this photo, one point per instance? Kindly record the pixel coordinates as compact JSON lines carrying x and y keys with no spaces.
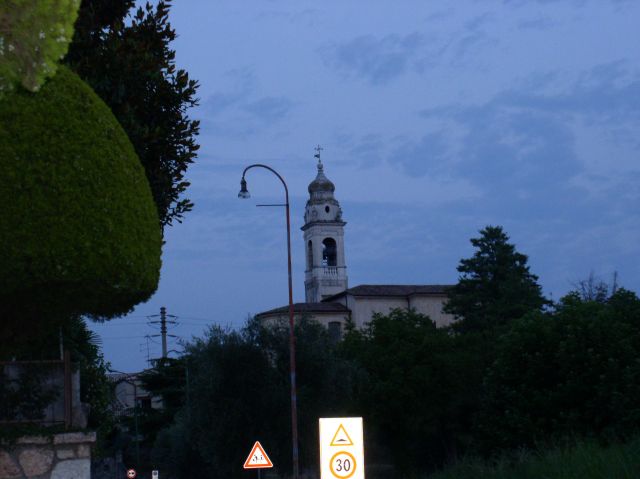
{"x":557,"y":149}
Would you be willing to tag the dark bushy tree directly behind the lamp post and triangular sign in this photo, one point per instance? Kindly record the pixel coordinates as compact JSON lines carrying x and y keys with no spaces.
{"x":238,"y":391}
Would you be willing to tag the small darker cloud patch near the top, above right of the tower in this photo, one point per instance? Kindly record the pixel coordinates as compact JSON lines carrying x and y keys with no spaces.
{"x":378,"y":60}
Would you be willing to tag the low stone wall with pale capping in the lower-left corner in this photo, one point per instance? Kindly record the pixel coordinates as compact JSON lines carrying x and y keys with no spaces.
{"x":62,"y":456}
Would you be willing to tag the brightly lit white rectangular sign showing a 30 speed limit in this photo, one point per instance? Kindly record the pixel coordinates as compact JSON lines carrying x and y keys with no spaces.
{"x":341,"y":448}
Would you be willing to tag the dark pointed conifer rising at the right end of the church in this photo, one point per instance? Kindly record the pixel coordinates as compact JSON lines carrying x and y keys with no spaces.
{"x":495,"y":285}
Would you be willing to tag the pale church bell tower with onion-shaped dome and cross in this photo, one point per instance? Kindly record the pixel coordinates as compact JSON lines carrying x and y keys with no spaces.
{"x":326,"y":271}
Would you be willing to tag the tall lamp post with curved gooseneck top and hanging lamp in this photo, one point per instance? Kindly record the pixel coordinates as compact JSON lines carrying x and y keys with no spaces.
{"x":244,"y":194}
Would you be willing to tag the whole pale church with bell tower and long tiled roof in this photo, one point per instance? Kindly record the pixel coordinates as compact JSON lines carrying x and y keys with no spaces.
{"x":328,"y":297}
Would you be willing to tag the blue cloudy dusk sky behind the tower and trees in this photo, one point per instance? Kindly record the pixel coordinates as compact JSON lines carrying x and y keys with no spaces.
{"x":436,"y":118}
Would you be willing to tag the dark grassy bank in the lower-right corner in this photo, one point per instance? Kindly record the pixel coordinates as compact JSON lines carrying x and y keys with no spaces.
{"x":584,"y":460}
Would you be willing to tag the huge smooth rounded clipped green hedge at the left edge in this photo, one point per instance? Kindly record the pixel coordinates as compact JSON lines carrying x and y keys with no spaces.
{"x":79,"y":230}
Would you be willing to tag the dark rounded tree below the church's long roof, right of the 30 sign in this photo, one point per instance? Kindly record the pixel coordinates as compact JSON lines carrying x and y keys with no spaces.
{"x":419,"y":390}
